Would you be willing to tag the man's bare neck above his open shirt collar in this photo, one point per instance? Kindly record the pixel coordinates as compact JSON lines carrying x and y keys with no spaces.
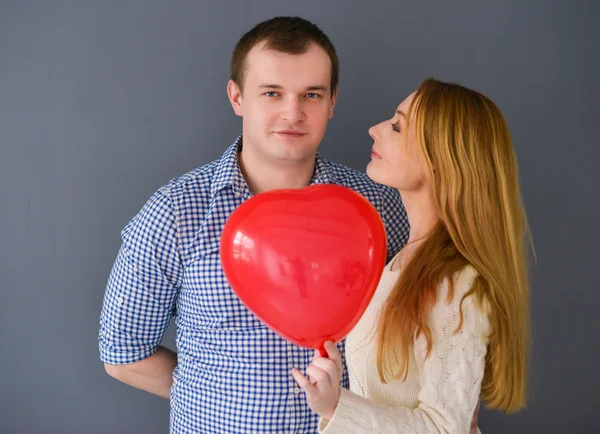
{"x":262,"y":175}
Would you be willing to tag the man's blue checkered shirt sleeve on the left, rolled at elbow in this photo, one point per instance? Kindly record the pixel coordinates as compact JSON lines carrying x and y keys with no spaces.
{"x":139,"y":299}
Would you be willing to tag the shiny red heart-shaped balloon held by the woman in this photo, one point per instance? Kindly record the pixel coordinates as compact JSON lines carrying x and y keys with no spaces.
{"x":307,"y":261}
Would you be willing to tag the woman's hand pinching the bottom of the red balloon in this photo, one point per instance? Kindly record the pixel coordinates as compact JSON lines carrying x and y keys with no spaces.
{"x":322,"y":387}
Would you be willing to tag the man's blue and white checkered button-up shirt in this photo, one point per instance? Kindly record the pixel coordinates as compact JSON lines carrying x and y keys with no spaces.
{"x":233,"y":374}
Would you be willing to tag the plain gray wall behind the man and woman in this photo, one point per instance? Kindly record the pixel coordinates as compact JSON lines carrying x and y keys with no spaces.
{"x":102,"y":102}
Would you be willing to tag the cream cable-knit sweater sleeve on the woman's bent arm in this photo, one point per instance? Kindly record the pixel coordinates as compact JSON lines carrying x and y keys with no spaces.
{"x":450,"y":378}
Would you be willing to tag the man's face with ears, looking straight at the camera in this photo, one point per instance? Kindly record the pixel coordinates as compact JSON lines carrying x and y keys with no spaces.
{"x":285,"y":102}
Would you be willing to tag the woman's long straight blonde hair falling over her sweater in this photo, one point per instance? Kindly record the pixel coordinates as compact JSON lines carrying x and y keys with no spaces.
{"x":466,"y":149}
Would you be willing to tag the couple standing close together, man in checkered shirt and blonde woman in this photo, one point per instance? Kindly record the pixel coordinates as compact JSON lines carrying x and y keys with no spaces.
{"x":448,"y":324}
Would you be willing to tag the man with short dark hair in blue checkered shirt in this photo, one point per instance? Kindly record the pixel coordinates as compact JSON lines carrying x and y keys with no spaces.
{"x":231,"y":374}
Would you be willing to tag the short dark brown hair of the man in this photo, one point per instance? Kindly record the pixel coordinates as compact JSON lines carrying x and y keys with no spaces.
{"x":291,"y":35}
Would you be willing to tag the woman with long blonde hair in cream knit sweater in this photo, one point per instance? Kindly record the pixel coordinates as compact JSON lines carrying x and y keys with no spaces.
{"x":449,"y":322}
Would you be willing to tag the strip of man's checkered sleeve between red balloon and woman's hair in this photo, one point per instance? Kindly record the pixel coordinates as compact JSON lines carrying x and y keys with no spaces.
{"x":395,"y":220}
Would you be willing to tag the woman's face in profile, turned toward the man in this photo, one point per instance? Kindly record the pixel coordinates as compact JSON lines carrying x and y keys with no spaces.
{"x":395,"y":159}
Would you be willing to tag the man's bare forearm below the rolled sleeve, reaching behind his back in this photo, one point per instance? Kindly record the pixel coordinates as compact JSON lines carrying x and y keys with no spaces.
{"x":153,"y":374}
